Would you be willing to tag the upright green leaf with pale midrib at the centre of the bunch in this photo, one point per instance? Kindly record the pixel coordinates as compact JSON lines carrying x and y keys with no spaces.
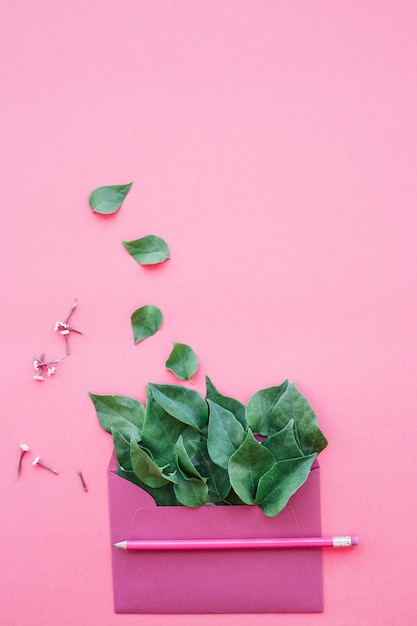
{"x":225,"y":434}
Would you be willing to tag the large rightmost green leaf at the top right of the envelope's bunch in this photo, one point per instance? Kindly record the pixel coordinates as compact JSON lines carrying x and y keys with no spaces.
{"x":293,"y":405}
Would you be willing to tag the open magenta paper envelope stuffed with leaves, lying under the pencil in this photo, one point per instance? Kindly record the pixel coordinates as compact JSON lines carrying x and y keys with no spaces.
{"x":214,"y":581}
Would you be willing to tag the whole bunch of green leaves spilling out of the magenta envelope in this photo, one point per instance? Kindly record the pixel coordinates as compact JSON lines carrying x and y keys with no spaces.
{"x":186,"y":449}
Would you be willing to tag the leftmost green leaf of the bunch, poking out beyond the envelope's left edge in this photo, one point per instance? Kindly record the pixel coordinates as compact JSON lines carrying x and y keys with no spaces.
{"x":121,"y":413}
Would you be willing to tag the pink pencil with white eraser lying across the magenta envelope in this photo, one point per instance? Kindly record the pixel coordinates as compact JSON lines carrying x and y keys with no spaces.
{"x":238,"y":544}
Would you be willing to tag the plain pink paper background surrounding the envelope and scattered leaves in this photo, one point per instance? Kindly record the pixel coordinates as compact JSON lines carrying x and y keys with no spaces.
{"x":273,"y":145}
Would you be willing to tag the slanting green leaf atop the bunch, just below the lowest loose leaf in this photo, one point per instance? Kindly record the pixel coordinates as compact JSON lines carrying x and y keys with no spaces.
{"x":184,"y":404}
